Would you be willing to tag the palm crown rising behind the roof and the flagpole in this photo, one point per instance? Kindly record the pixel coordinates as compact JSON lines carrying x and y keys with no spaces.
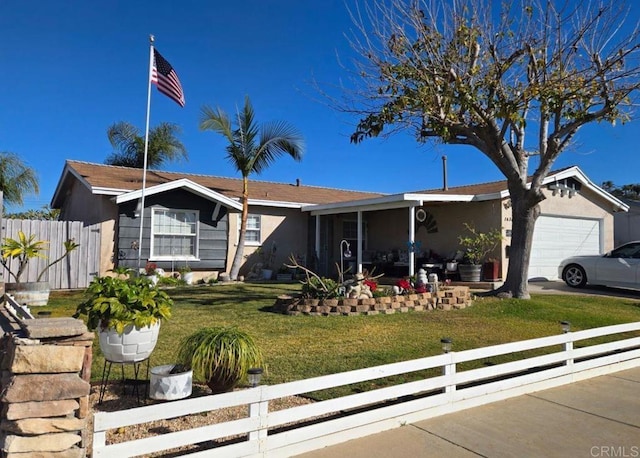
{"x":164,"y":145}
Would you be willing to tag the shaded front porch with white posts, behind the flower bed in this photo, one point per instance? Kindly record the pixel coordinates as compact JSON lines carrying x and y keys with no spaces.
{"x":401,"y":236}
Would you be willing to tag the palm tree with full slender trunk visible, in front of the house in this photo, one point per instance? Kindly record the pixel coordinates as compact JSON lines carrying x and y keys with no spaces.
{"x":252,"y":148}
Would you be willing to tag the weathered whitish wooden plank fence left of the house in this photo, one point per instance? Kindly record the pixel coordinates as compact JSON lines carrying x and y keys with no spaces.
{"x":76,"y":270}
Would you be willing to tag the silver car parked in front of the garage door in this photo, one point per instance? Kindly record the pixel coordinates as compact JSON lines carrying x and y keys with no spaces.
{"x":619,"y":268}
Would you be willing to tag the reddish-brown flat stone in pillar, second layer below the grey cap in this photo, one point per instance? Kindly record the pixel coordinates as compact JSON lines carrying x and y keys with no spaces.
{"x":44,"y":387}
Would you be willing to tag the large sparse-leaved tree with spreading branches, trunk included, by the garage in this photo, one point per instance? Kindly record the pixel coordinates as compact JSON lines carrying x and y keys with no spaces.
{"x":491,"y":76}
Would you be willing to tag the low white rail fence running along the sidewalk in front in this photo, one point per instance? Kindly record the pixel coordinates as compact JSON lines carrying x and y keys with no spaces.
{"x":357,"y":415}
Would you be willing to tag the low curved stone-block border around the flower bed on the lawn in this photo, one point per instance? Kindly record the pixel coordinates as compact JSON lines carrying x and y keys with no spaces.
{"x":446,"y":298}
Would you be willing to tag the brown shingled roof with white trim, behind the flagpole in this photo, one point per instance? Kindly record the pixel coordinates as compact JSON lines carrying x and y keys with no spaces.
{"x":114,"y":180}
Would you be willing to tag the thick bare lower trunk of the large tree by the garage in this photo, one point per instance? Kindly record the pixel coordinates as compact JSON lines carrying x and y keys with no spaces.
{"x":525,"y":211}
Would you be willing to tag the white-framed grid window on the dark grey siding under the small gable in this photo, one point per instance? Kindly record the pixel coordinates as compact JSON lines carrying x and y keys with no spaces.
{"x":174,"y":234}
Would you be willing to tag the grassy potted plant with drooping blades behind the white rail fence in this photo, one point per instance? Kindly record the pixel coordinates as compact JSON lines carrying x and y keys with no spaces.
{"x":221,"y":356}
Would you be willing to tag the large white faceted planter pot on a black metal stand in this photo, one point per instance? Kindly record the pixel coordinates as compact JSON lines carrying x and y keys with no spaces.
{"x":135,"y":344}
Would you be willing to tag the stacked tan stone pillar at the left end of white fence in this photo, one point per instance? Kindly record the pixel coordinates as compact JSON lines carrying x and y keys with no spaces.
{"x":44,"y":388}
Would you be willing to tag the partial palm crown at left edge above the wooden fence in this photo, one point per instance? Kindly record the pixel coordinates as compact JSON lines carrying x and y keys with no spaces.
{"x":16,"y":178}
